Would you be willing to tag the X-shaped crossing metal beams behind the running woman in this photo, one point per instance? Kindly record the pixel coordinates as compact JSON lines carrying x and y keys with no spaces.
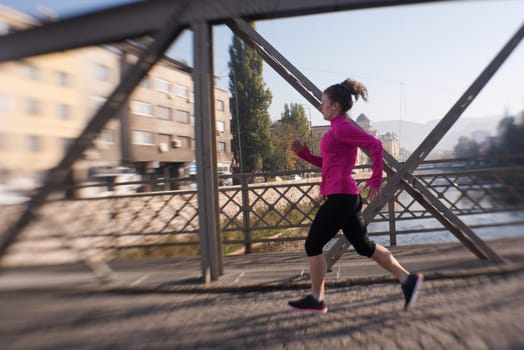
{"x":400,"y":175}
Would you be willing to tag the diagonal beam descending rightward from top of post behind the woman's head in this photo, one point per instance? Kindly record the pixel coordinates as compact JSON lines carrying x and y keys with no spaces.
{"x":312,"y":93}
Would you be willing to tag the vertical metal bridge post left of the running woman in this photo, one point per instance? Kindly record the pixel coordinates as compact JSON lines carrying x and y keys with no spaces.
{"x":206,"y":155}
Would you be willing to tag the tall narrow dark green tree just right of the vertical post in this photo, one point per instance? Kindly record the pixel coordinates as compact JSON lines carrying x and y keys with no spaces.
{"x":250,"y":102}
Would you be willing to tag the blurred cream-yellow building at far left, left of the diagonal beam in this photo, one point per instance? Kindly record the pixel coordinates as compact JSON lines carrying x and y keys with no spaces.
{"x":40,"y":110}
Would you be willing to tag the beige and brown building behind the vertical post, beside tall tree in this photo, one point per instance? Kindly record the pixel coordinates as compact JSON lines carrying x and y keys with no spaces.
{"x":157,"y":129}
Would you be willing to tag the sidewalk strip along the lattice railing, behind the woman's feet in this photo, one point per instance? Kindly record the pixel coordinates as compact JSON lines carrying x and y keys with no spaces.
{"x":269,"y":271}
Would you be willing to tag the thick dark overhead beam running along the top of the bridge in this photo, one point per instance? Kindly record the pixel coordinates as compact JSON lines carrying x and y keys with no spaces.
{"x":147,"y":17}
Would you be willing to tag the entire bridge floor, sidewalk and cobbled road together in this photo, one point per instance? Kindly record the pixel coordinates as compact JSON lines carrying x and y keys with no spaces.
{"x":465,"y":304}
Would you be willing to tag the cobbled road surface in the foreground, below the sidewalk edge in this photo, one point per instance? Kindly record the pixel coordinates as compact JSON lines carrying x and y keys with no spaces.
{"x":479,"y":312}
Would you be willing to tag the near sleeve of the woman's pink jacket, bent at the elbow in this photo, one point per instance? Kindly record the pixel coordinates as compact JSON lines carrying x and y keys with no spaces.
{"x":353,"y":135}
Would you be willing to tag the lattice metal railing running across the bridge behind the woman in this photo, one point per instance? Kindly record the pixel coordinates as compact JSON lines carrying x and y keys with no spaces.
{"x":258,"y":210}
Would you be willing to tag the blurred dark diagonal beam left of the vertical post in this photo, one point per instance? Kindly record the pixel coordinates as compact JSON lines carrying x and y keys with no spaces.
{"x":55,"y":177}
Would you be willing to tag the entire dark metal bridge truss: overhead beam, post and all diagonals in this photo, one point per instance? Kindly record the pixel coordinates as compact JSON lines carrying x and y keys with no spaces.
{"x":143,"y":18}
